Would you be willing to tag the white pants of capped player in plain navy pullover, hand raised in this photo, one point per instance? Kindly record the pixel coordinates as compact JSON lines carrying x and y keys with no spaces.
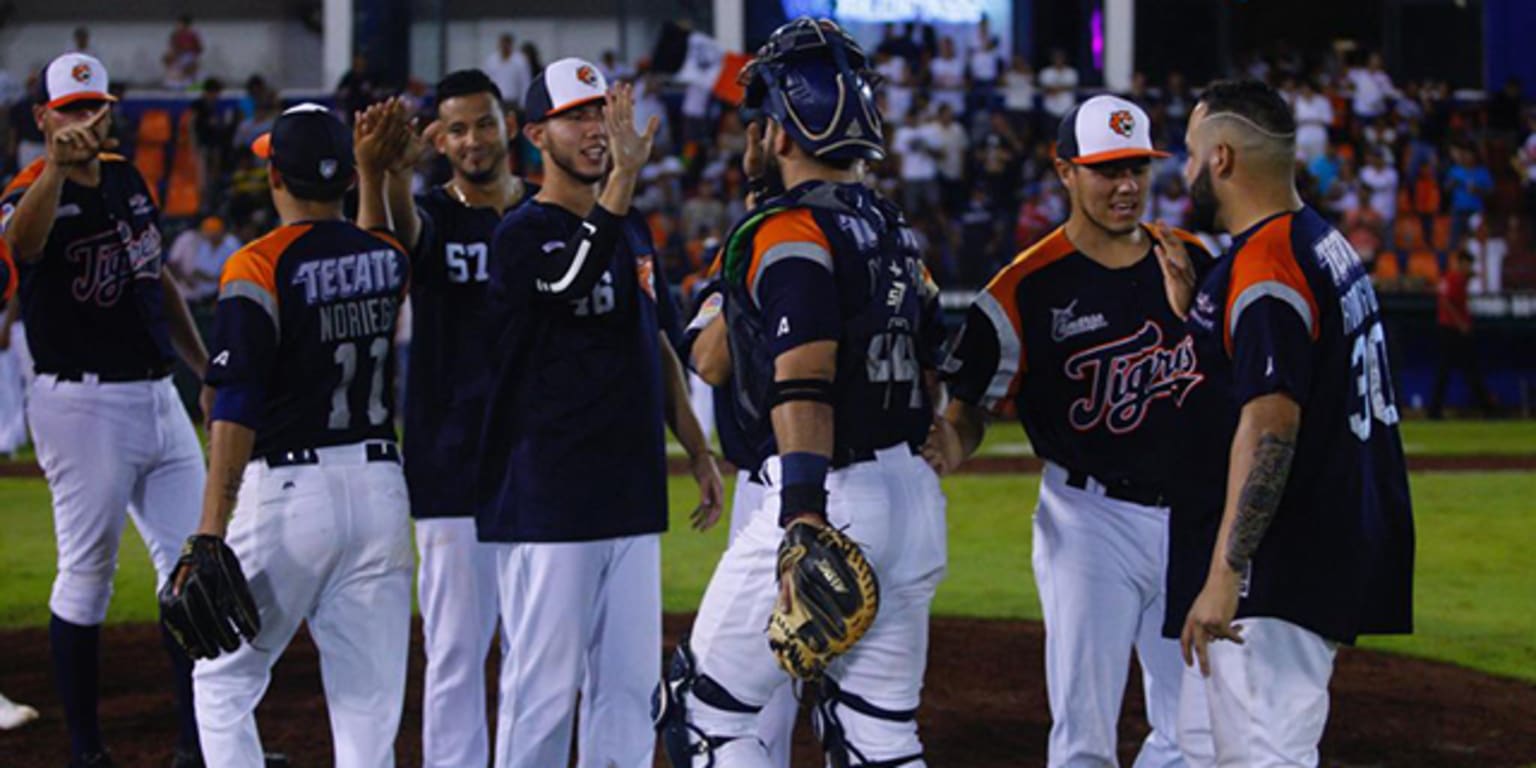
{"x":581,"y":617}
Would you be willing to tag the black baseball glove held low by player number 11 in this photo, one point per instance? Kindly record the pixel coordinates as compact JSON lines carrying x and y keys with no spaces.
{"x":214,"y":603}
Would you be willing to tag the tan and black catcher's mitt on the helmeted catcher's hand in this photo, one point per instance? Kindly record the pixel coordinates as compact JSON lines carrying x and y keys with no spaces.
{"x":829,"y":598}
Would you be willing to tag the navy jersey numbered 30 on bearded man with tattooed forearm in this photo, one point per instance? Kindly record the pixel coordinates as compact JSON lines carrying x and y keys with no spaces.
{"x":1293,"y":311}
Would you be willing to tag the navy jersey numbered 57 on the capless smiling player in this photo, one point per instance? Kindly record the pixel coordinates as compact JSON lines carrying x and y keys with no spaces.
{"x":449,"y":348}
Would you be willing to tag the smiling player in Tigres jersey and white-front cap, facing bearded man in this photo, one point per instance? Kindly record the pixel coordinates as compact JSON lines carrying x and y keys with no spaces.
{"x":1081,"y":334}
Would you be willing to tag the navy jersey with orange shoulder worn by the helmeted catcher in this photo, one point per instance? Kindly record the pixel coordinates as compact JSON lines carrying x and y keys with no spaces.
{"x":833,"y":263}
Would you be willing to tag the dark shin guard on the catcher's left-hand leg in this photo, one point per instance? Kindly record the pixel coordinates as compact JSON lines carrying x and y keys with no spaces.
{"x":684,"y":743}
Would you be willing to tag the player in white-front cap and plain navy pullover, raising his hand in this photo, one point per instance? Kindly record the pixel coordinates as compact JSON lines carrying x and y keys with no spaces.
{"x":574,"y":478}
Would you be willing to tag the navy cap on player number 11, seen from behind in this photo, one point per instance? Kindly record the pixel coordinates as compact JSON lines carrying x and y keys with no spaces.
{"x":311,"y":147}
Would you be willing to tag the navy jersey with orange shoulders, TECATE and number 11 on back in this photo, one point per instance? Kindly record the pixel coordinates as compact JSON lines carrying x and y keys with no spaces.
{"x":303,"y":337}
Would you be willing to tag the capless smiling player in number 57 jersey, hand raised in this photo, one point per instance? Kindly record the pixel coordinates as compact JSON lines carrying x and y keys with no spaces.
{"x":449,"y":231}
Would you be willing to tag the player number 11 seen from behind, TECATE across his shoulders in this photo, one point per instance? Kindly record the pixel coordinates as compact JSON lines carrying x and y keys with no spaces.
{"x":305,"y":477}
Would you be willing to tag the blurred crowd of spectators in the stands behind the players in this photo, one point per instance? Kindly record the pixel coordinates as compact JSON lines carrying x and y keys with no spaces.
{"x":1412,"y":171}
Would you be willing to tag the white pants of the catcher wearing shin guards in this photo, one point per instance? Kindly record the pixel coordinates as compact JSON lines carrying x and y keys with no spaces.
{"x":895,"y":511}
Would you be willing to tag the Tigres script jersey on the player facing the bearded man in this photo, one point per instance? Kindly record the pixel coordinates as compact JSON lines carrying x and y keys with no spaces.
{"x":1094,"y":360}
